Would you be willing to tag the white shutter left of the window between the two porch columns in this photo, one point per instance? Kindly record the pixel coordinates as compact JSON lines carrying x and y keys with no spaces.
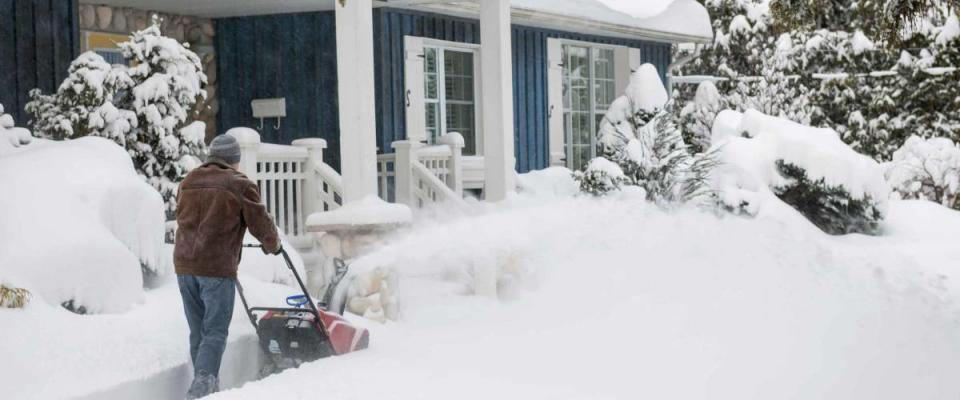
{"x":413,"y":95}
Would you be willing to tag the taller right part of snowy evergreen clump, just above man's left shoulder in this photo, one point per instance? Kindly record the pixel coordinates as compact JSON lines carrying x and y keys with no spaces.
{"x":168,"y":82}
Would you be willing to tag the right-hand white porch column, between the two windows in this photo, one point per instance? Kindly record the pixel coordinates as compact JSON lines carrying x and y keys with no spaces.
{"x":497,"y":79}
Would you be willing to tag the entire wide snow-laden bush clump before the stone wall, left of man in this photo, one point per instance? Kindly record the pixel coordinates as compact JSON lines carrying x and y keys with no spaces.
{"x":145,"y":107}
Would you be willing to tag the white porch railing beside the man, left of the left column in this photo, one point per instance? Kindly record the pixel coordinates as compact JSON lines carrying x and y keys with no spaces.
{"x":293,"y":180}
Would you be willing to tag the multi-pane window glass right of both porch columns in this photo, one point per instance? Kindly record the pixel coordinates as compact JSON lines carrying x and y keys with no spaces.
{"x":589,"y":86}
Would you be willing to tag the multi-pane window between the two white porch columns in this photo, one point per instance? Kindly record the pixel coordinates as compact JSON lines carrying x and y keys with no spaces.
{"x":449,"y":94}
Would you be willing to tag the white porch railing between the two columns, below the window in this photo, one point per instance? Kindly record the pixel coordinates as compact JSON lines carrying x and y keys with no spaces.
{"x":419,"y":176}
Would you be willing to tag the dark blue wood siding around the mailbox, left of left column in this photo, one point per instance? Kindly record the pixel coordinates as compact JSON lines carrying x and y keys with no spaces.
{"x":288,"y":55}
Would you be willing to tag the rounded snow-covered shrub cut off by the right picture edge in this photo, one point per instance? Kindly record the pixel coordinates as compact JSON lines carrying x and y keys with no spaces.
{"x":927,"y":169}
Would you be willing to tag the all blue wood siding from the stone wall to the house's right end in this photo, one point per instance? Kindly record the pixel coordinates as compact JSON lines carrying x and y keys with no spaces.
{"x":294,"y":56}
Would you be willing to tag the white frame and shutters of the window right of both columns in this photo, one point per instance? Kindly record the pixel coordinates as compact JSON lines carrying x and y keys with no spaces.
{"x":626,"y":60}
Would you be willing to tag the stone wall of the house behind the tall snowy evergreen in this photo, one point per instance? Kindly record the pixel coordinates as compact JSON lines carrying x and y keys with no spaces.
{"x":198,"y":32}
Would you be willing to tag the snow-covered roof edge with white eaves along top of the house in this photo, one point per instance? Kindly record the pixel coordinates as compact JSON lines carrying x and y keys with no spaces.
{"x":666,"y":20}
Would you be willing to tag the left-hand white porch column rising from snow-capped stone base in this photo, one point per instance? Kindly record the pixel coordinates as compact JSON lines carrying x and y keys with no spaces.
{"x":358,"y":132}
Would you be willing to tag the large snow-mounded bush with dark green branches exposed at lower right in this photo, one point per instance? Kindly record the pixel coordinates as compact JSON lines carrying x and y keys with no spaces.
{"x":810,"y":169}
